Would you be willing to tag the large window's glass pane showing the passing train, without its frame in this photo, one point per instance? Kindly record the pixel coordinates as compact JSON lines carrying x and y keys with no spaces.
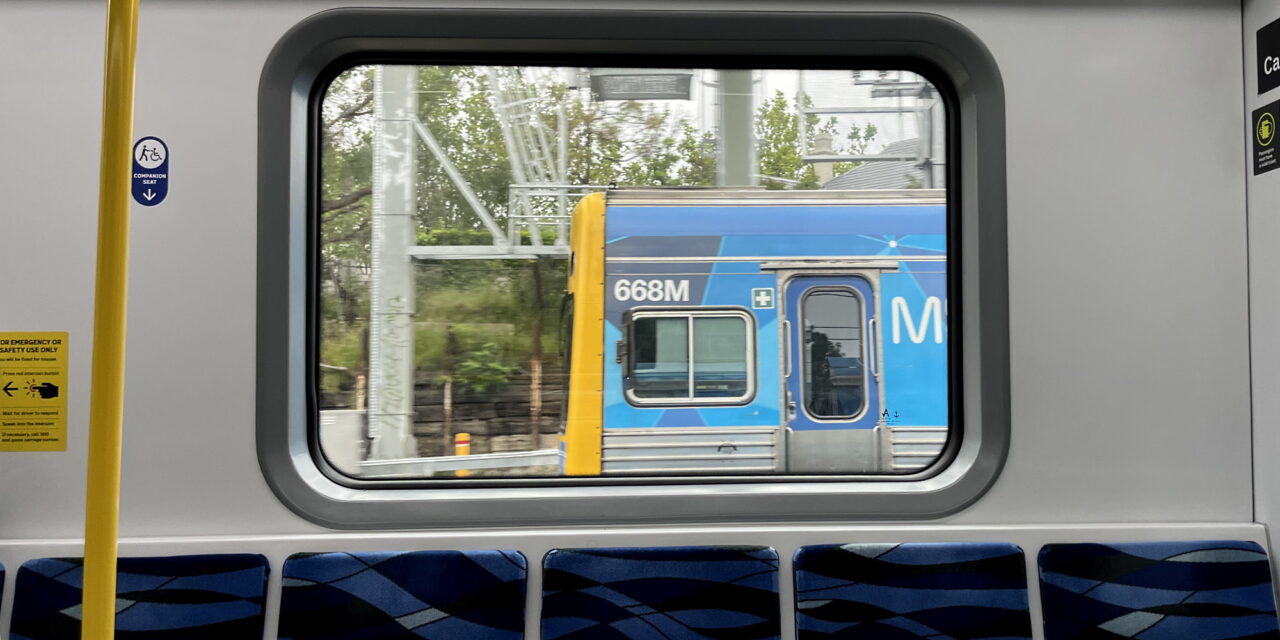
{"x":452,"y":200}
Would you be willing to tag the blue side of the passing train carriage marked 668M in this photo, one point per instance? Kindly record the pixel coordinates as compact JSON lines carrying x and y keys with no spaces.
{"x":767,"y":332}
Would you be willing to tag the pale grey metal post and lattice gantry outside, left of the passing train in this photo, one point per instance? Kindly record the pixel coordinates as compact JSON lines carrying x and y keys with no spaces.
{"x":540,"y":199}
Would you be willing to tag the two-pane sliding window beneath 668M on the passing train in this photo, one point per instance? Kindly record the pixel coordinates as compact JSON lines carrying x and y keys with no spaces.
{"x":694,"y":358}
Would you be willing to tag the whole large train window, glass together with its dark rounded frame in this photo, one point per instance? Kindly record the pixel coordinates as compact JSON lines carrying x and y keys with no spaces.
{"x":573,"y":259}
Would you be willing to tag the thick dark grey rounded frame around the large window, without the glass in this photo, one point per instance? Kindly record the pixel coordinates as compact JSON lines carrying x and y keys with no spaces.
{"x":300,"y":68}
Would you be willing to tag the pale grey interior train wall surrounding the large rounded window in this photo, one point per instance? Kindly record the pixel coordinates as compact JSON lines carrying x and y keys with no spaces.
{"x":1140,"y":248}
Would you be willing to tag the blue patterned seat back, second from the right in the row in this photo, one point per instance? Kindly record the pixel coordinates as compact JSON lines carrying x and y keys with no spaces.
{"x":915,"y":591}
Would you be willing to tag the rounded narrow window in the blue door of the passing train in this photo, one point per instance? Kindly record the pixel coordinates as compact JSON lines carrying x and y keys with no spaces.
{"x":833,"y":354}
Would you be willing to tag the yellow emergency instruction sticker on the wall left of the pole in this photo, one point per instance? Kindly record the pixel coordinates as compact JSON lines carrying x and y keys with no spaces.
{"x":34,"y":391}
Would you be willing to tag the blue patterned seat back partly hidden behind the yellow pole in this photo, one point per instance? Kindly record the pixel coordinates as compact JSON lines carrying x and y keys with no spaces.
{"x":176,"y":598}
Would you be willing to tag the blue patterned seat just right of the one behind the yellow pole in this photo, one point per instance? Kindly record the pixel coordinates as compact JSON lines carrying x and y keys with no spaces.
{"x":441,"y":596}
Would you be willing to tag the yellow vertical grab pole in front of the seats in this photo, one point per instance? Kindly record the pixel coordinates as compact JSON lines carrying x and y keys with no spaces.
{"x":107,"y":391}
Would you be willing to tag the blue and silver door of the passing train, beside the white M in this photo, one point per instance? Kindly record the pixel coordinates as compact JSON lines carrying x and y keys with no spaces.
{"x":833,"y":392}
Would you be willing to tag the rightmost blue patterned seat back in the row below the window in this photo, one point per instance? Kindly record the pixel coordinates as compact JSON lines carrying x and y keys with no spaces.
{"x":1199,"y":591}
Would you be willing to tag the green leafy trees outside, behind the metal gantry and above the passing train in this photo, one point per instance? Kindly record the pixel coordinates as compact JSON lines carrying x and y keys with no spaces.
{"x":476,"y":319}
